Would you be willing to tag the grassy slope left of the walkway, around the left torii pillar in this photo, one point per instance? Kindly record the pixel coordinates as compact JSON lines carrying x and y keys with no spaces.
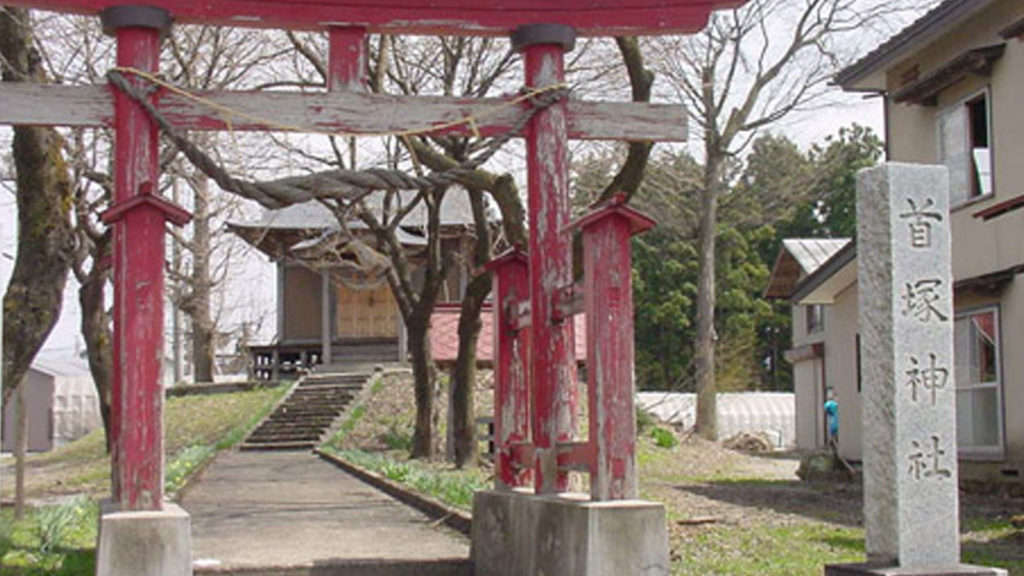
{"x":61,"y":541}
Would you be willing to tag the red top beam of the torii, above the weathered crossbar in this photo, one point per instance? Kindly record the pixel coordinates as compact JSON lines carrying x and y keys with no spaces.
{"x":458,"y":18}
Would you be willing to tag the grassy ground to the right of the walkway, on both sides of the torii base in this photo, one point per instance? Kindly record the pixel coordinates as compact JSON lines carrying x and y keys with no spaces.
{"x":763,"y":523}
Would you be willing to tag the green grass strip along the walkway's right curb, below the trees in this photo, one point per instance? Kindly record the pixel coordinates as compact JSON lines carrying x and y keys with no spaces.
{"x":453,"y":487}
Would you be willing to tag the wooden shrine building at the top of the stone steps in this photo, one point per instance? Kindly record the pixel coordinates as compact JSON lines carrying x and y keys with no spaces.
{"x":337,"y":313}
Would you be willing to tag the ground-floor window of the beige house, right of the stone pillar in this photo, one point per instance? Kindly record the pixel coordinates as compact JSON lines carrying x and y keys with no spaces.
{"x":979,"y":394}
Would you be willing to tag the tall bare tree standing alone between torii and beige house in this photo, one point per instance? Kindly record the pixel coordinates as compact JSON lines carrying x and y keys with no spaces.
{"x":747,"y":71}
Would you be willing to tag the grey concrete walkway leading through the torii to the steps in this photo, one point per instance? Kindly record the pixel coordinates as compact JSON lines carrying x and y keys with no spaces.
{"x":291,"y":513}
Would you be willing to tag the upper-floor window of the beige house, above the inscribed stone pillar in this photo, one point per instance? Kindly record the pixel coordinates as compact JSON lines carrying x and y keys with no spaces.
{"x":965,"y":147}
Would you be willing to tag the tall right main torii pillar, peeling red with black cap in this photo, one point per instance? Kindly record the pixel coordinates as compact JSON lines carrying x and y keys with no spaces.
{"x":553,"y":364}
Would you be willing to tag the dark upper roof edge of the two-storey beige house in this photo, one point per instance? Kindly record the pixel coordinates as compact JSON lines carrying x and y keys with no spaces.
{"x":868,"y":73}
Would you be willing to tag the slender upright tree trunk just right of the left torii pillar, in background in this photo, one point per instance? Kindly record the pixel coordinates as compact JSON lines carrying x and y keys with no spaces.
{"x":203,"y":328}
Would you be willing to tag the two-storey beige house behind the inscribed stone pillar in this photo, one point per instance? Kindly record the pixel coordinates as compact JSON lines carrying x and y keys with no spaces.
{"x":952,"y":85}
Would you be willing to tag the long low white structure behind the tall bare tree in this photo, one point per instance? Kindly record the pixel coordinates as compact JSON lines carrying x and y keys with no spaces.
{"x":753,"y":413}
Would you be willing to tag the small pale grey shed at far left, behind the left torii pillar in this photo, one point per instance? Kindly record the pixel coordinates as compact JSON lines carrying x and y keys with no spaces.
{"x":62,"y":402}
